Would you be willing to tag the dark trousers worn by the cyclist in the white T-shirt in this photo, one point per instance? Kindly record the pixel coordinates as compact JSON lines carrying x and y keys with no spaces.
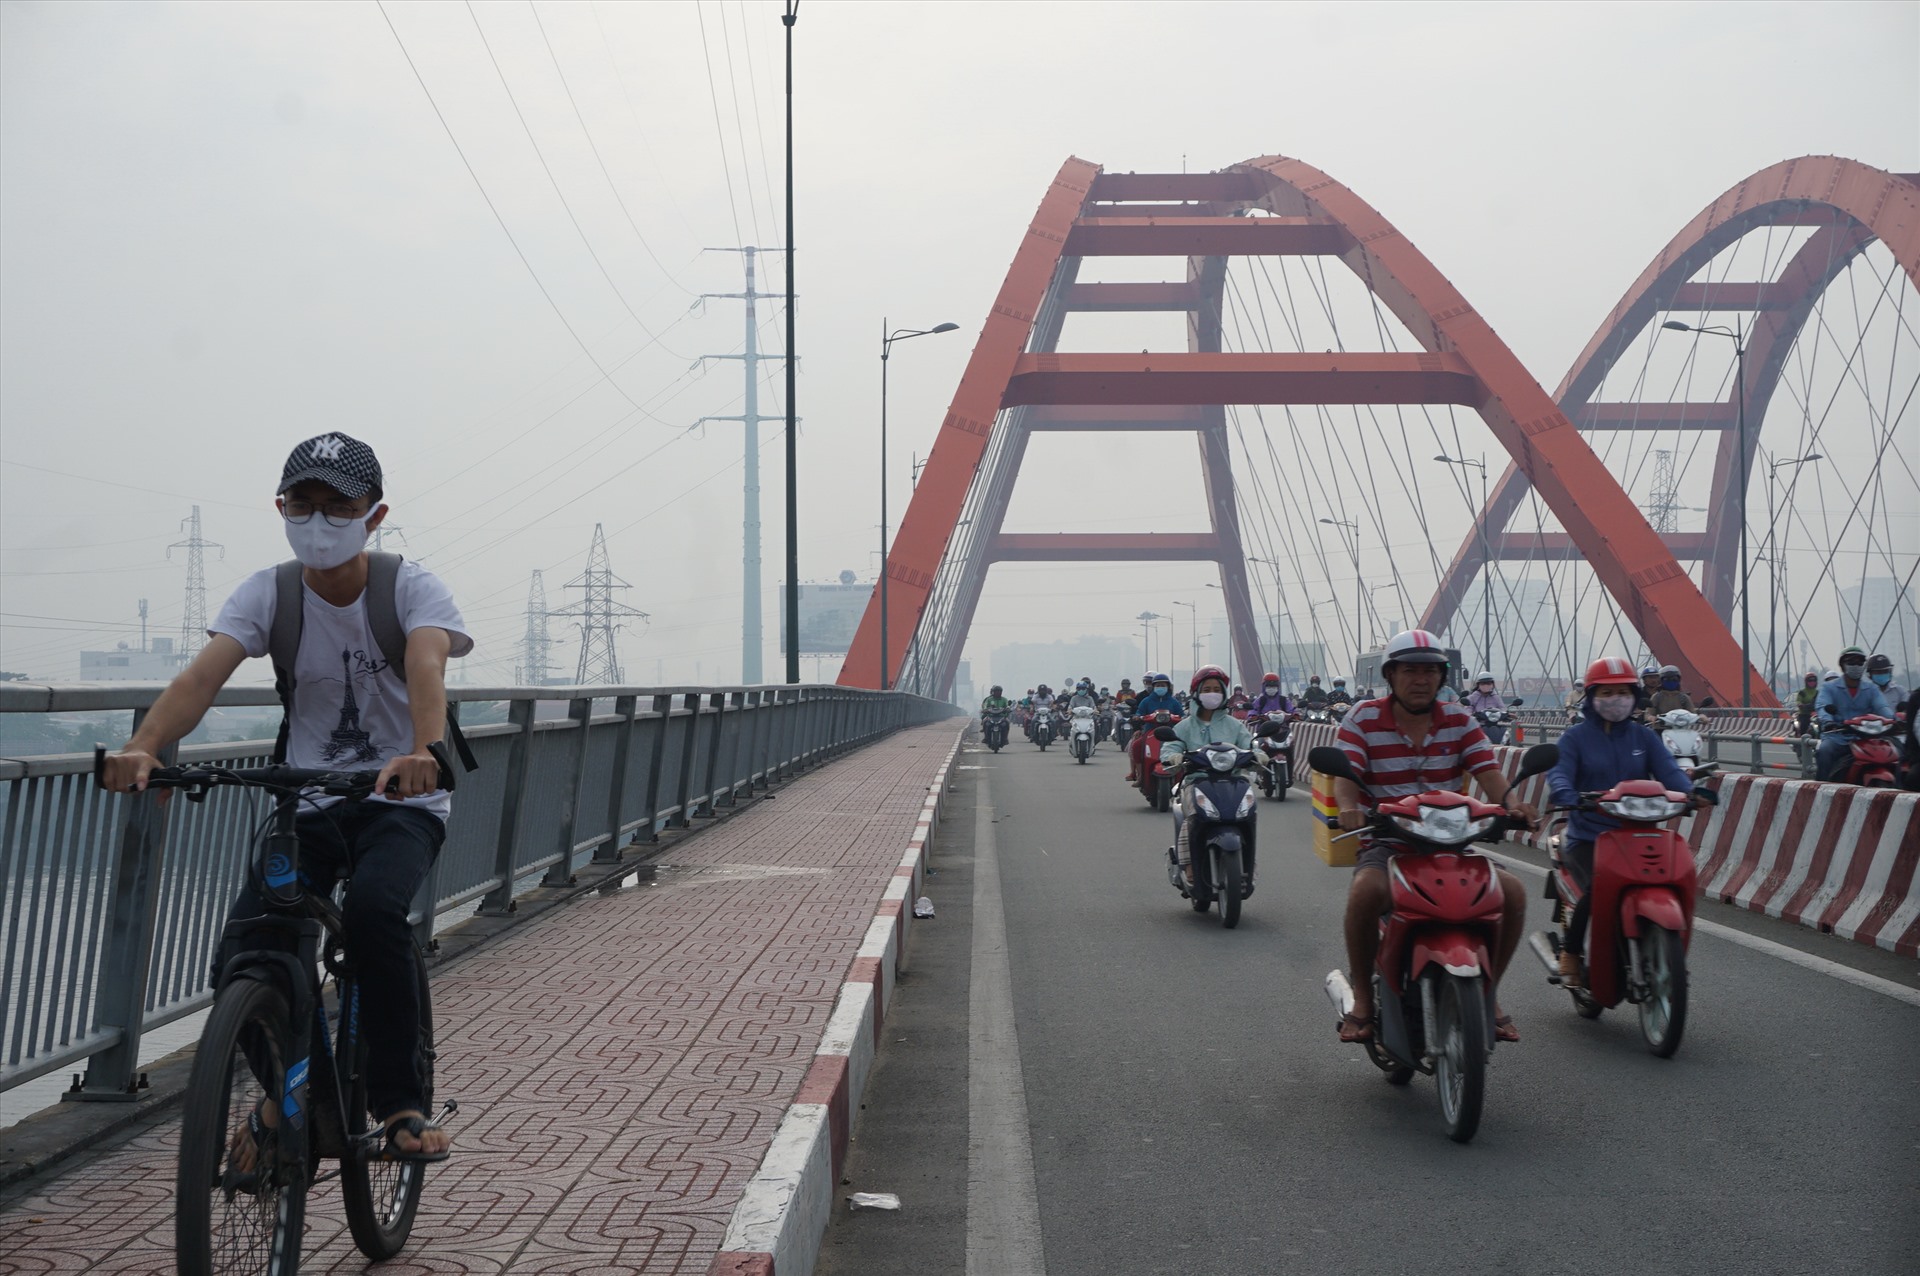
{"x":387,"y":853}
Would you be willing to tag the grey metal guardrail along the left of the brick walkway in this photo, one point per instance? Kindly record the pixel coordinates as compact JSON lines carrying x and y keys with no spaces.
{"x":114,"y":903}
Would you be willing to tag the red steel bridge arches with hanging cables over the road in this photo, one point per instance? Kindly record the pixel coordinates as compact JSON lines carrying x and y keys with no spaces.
{"x":1810,"y":264}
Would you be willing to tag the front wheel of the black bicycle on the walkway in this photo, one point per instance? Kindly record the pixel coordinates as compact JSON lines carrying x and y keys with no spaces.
{"x":231,"y":1219}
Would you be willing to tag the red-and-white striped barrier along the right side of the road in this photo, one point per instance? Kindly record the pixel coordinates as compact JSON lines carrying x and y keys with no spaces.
{"x":1838,"y":859}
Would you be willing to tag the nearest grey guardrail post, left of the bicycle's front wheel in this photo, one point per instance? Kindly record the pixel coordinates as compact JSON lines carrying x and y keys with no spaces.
{"x":112,"y":1075}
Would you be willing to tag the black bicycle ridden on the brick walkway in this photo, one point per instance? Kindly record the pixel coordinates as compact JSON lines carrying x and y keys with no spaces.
{"x":270,"y":1012}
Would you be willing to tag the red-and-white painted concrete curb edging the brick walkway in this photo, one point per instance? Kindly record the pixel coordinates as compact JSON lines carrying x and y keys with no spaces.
{"x":784,"y":1212}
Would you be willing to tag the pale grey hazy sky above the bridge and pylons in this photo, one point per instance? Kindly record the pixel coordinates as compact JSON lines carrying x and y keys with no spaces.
{"x":228,"y":227}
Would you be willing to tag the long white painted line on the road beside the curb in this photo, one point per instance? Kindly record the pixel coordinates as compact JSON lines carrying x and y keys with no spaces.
{"x":1003,"y":1212}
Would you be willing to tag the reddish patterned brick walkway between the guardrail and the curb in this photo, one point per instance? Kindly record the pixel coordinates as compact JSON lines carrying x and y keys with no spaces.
{"x":621,"y":1066}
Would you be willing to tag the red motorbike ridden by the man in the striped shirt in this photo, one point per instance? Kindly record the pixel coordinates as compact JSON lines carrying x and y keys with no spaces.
{"x":1433,"y":974}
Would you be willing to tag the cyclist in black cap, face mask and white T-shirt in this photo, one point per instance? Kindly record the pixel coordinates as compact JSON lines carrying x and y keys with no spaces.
{"x":348,"y":709}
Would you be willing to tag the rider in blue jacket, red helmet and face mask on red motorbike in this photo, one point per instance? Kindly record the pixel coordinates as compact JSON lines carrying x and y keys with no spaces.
{"x":1598,"y":753}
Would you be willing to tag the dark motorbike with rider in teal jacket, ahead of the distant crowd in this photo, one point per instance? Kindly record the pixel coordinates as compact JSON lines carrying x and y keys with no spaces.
{"x":1222,"y":839}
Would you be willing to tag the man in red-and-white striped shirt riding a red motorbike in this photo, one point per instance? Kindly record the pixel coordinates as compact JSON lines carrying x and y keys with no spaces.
{"x":1401,"y":745}
